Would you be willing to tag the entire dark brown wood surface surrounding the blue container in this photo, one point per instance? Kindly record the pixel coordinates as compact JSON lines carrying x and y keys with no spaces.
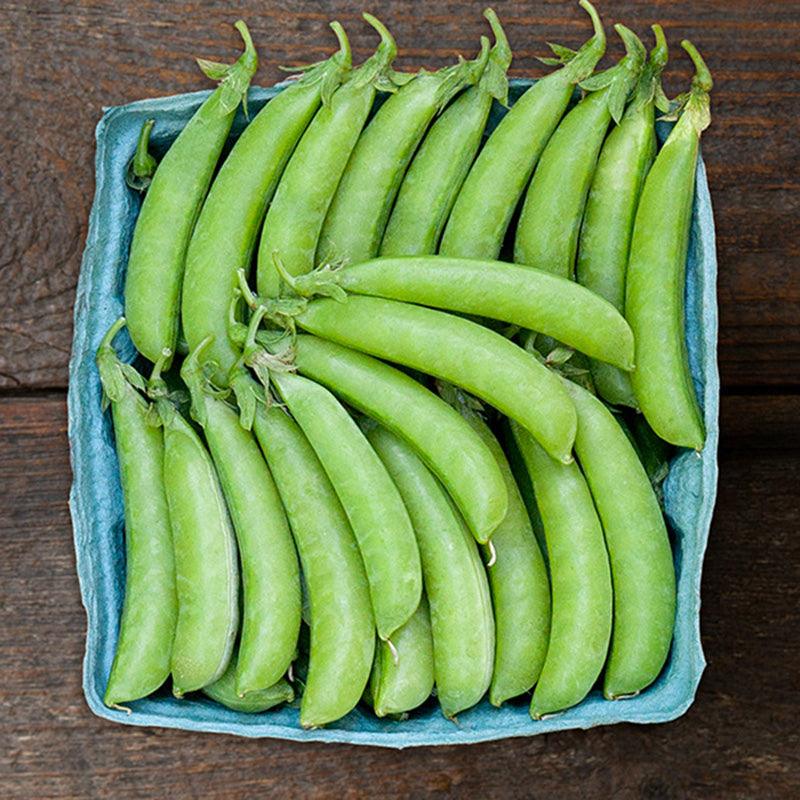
{"x":61,"y":62}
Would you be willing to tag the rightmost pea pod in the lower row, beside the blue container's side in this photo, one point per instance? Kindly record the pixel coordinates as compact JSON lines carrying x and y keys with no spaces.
{"x":642,"y":570}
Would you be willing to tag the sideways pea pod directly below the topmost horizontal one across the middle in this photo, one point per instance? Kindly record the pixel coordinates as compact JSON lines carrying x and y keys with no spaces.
{"x":458,"y":351}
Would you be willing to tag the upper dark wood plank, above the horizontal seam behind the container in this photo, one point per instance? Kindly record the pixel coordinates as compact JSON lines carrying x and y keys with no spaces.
{"x":64,"y":61}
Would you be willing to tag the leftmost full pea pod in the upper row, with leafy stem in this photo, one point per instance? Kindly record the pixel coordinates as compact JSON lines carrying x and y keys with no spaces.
{"x":171,"y":206}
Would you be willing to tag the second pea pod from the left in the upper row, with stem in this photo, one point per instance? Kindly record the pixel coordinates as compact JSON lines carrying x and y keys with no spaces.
{"x":228,"y":225}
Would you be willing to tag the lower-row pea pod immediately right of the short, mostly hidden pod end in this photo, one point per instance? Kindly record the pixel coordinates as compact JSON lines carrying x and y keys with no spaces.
{"x":462,"y":625}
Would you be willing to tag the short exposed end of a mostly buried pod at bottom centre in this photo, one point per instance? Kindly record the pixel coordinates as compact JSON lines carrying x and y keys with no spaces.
{"x":402,"y":675}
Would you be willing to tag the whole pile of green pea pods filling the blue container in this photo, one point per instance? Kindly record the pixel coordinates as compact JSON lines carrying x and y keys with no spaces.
{"x":406,"y":393}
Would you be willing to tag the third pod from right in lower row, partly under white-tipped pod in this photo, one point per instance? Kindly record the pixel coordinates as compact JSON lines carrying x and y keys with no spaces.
{"x":520,"y":590}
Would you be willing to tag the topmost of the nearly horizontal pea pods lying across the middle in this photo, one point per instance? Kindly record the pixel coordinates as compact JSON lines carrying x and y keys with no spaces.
{"x":523,"y":296}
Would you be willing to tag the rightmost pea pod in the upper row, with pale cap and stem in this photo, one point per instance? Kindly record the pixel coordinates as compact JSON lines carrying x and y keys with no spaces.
{"x":656,"y":275}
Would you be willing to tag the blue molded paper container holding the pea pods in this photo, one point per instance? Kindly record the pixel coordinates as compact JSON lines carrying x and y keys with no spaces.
{"x":96,"y":501}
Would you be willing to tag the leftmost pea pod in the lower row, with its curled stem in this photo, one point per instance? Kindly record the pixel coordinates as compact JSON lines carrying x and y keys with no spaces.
{"x":149,"y":611}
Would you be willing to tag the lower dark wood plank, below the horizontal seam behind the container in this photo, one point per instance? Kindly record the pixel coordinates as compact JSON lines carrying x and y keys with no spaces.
{"x":739,"y":739}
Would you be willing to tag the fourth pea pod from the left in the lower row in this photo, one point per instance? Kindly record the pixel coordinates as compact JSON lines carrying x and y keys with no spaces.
{"x":342,"y":625}
